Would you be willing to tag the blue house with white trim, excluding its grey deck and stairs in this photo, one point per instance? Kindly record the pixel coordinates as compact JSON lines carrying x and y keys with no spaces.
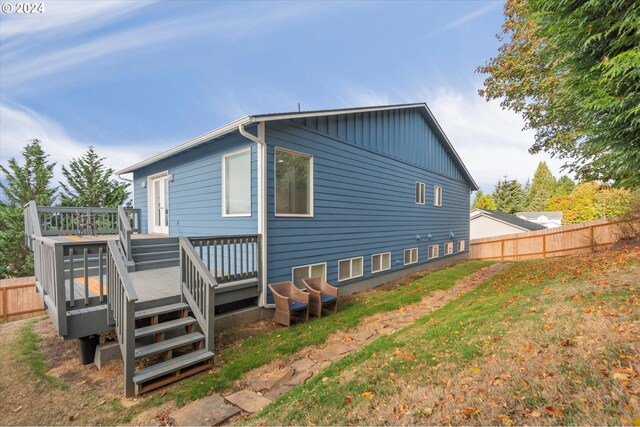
{"x":351,"y":195}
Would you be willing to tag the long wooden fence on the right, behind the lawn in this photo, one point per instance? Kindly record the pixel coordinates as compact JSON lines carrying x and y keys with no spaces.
{"x":566,"y":240}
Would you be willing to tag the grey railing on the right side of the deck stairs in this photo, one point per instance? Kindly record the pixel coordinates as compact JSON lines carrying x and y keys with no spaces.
{"x":197,"y":288}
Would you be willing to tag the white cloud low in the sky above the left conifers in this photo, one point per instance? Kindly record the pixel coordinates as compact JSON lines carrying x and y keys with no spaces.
{"x":18,"y":125}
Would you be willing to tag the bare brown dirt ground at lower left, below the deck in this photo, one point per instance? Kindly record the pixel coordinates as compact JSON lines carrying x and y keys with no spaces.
{"x":82,"y":395}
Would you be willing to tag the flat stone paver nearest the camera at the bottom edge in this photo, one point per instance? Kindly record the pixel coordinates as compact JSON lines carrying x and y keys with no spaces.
{"x":210,"y":411}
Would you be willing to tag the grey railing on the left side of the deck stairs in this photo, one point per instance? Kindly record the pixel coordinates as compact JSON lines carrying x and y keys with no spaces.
{"x":121,"y":311}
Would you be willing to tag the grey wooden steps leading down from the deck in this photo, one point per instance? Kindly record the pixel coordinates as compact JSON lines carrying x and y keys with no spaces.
{"x":168,"y":342}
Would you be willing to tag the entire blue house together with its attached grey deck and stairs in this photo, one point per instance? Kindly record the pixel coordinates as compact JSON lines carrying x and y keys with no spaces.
{"x":359,"y":196}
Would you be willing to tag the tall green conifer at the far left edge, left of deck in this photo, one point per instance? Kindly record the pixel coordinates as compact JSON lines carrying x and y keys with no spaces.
{"x":26,"y":182}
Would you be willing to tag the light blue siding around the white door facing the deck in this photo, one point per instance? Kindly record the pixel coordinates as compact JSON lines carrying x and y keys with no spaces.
{"x":195,"y":193}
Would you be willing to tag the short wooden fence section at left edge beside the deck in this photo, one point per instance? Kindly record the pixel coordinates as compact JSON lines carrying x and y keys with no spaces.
{"x":19,"y":299}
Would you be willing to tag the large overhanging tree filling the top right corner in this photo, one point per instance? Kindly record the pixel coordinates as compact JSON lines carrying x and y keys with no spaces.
{"x":571,"y":69}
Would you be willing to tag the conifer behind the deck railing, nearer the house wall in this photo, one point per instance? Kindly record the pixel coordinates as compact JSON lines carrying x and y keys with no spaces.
{"x":91,"y":183}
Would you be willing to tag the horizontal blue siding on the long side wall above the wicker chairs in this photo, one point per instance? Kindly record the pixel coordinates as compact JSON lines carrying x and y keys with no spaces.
{"x":364,"y":204}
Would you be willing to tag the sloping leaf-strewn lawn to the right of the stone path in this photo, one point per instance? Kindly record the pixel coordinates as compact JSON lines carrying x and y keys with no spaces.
{"x":538,"y":343}
